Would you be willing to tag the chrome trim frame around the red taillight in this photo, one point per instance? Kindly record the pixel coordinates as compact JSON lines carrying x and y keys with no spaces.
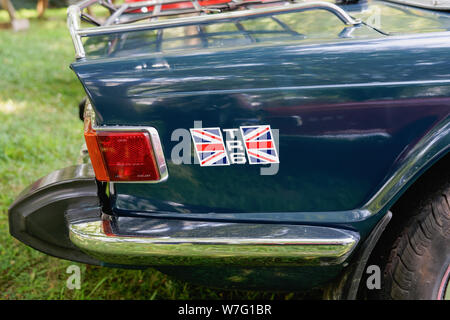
{"x":155,"y":143}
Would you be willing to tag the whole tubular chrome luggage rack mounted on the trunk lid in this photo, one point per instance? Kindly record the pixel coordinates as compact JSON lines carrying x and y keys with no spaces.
{"x":123,"y":17}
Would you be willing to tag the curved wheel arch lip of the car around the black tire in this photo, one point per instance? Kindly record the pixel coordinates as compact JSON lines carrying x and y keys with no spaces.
{"x":436,"y":168}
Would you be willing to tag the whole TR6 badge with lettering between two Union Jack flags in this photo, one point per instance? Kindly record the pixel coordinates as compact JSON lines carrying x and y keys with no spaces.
{"x":254,"y":141}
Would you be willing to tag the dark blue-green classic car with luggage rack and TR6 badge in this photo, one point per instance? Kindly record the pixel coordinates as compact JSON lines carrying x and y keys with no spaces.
{"x":259,"y":144}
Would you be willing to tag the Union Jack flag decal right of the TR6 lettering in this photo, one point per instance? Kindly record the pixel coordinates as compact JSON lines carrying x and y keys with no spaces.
{"x":259,"y":144}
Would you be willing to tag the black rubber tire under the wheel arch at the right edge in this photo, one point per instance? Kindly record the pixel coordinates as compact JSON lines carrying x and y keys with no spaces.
{"x":415,"y":263}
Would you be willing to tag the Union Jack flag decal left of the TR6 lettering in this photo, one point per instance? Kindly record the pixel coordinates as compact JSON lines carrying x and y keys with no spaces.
{"x":209,"y":146}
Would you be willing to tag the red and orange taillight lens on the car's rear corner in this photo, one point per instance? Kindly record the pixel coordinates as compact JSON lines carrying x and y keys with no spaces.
{"x":122,"y":155}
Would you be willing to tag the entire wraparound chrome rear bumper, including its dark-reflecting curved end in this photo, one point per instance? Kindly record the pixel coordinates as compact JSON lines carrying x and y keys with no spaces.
{"x":65,"y":205}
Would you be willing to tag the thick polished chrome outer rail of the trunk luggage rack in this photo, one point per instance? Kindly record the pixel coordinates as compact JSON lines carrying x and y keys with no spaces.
{"x":74,"y":13}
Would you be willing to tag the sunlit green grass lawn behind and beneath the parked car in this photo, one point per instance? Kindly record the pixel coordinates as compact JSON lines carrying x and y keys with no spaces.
{"x":40,"y":132}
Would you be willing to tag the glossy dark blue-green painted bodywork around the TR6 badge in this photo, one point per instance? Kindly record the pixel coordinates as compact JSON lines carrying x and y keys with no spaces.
{"x":351,"y":107}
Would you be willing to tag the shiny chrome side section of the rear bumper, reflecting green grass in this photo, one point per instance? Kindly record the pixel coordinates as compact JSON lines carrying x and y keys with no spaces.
{"x":270,"y":247}
